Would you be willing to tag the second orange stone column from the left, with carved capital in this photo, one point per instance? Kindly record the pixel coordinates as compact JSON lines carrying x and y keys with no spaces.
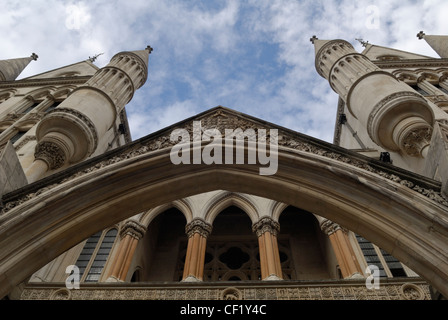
{"x":198,"y":231}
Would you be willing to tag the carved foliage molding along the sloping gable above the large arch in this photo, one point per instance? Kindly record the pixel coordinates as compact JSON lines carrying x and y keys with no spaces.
{"x":287,"y":139}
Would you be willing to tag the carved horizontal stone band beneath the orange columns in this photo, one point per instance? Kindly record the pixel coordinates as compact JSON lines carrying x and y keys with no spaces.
{"x":347,"y":290}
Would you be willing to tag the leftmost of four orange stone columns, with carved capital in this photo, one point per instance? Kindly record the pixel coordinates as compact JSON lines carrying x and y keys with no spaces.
{"x":130,"y":234}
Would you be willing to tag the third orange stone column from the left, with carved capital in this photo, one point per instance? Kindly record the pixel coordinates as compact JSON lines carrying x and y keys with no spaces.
{"x":266,"y":230}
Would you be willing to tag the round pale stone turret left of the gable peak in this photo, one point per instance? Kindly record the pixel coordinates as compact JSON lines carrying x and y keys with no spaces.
{"x":70,"y":133}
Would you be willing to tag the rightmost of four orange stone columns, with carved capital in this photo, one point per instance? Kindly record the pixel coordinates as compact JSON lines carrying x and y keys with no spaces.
{"x":342,"y":247}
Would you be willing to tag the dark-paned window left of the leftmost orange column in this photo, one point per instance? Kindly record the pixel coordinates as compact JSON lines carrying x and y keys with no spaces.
{"x":93,"y":256}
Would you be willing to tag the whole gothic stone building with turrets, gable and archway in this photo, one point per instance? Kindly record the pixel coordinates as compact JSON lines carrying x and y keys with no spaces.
{"x":87,"y":213}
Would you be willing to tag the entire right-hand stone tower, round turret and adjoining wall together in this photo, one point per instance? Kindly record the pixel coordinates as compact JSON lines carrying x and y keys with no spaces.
{"x":393,"y":104}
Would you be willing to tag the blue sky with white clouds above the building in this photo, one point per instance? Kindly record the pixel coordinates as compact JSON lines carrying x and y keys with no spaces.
{"x":253,"y":56}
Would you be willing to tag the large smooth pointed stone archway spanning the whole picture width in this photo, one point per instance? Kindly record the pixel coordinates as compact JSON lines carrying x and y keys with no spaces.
{"x":46,"y":219}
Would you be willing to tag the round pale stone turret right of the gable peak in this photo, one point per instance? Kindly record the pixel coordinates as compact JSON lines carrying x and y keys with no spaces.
{"x":395,"y":116}
